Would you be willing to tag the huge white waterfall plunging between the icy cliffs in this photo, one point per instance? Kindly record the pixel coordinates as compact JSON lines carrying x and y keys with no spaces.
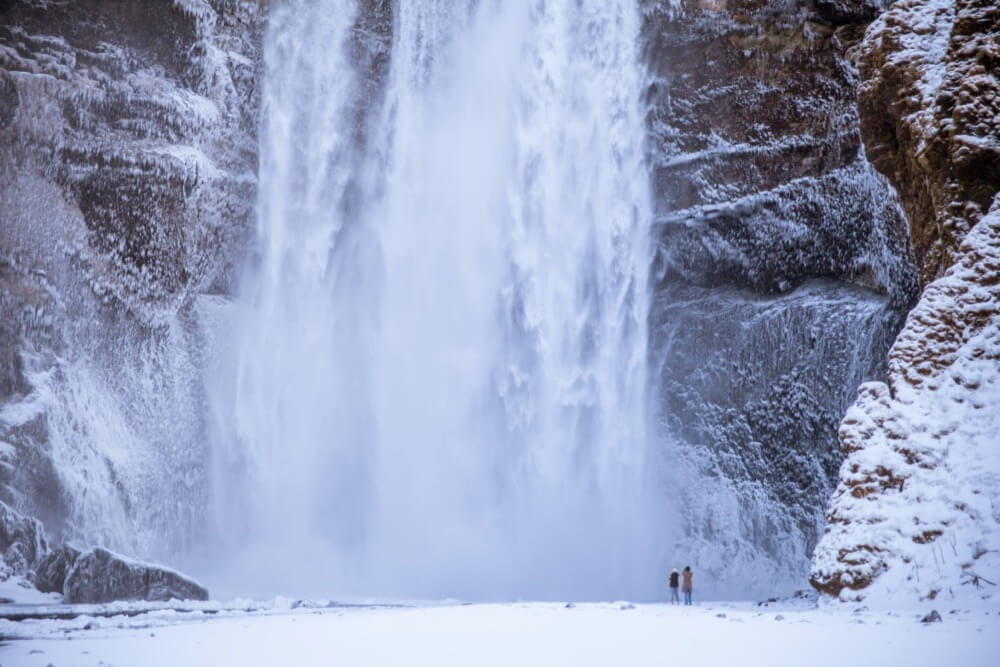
{"x":434,"y":381}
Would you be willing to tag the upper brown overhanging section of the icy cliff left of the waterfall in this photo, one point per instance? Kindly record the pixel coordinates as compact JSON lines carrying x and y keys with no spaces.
{"x":119,"y":130}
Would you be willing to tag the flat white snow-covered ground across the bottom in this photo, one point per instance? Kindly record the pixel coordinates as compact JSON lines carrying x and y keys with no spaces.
{"x":606,"y":634}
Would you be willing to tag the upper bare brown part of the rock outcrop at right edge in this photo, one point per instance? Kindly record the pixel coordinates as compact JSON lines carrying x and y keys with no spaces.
{"x":929,"y":105}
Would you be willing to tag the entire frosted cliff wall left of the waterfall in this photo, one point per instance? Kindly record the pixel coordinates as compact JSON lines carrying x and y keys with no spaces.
{"x":127,"y":180}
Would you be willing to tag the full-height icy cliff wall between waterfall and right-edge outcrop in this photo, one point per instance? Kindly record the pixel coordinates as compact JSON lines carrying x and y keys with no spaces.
{"x":761,"y":187}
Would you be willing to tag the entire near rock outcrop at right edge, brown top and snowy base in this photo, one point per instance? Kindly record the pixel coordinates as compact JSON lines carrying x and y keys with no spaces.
{"x":915,"y":514}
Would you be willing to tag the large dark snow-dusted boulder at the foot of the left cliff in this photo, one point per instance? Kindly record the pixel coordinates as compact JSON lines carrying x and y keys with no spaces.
{"x":100,"y":575}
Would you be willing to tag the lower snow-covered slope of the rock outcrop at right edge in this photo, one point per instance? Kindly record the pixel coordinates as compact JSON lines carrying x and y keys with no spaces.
{"x":916,"y":513}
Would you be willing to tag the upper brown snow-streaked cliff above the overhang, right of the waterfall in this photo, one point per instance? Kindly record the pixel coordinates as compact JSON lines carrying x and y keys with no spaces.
{"x":755,"y":149}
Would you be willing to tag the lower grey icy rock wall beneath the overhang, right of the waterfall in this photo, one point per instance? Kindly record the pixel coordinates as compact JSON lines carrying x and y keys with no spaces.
{"x":753,"y":387}
